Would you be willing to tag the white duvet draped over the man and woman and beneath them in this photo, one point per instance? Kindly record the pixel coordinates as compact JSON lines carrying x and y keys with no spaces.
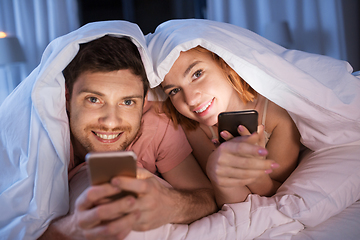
{"x":319,"y":92}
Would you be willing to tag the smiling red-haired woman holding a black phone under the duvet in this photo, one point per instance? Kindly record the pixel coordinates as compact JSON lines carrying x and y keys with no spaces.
{"x":200,"y":85}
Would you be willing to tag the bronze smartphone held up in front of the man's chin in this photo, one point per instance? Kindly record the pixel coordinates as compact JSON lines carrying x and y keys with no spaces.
{"x":103,"y":166}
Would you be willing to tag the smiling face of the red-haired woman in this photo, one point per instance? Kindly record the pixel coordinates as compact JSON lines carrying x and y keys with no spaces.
{"x":198,"y":87}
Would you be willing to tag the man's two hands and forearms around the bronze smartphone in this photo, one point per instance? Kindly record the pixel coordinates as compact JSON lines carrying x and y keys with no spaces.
{"x":95,"y":217}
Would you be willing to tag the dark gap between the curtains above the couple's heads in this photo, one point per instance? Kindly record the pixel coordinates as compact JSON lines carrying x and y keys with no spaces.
{"x":148,"y":14}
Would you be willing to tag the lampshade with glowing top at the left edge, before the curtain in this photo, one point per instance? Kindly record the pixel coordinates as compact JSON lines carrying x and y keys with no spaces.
{"x":10,"y":50}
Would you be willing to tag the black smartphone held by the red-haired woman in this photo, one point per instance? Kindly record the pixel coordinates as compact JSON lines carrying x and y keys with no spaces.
{"x":230,"y":121}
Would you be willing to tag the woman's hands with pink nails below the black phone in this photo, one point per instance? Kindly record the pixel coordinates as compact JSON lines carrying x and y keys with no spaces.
{"x":239,"y":161}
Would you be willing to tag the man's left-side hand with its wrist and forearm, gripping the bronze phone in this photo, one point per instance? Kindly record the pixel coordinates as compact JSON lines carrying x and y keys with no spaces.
{"x":95,"y":217}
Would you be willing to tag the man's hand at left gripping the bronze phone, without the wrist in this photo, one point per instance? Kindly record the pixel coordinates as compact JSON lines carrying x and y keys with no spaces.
{"x":101,"y":219}
